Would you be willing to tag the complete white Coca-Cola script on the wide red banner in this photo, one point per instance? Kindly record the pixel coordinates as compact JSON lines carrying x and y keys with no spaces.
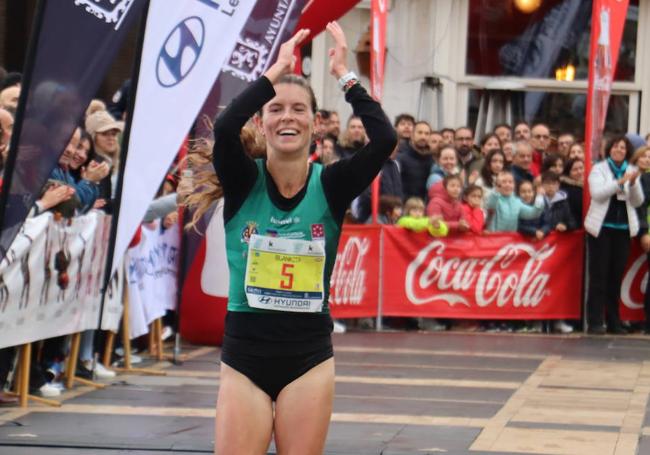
{"x":513,"y":276}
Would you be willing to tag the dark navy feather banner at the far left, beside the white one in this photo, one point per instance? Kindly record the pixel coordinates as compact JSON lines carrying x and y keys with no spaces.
{"x":71,"y":50}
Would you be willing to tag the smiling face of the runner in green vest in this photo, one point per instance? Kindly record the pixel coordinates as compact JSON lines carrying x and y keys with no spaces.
{"x":287,"y":120}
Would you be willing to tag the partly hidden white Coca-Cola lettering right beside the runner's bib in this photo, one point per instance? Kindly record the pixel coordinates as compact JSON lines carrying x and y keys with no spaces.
{"x":348,"y":283}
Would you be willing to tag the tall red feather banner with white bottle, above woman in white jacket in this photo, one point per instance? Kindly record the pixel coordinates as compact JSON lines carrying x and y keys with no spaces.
{"x":607,"y":22}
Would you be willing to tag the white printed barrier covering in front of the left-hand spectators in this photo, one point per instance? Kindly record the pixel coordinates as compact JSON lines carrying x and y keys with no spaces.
{"x":51,"y":278}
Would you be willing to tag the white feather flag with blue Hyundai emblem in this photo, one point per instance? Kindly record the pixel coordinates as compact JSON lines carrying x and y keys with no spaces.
{"x":185,"y":46}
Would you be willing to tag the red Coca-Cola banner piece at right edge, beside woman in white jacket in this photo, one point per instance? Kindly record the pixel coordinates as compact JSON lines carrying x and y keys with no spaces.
{"x":634,"y":283}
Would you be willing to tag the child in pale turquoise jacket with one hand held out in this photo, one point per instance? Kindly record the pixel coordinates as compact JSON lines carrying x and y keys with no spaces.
{"x":507,"y":209}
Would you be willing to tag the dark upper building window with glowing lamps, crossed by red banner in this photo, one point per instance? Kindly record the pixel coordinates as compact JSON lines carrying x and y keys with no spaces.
{"x":504,"y":41}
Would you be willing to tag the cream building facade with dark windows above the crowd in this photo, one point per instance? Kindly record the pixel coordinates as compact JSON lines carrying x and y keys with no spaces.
{"x":483,"y":62}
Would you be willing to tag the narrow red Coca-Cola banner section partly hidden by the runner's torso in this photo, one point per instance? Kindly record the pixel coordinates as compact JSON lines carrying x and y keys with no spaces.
{"x":354,"y":291}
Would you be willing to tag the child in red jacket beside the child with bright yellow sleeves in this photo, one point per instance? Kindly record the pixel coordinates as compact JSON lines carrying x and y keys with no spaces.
{"x":445,"y":205}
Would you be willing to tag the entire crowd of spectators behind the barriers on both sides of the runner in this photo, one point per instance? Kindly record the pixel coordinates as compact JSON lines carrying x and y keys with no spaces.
{"x":518,"y":178}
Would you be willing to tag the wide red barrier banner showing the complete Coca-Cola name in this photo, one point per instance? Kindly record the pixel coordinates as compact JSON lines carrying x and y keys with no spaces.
{"x":493,"y":276}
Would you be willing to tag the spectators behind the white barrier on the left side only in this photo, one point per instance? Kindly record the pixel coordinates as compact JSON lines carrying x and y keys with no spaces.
{"x":83,"y":179}
